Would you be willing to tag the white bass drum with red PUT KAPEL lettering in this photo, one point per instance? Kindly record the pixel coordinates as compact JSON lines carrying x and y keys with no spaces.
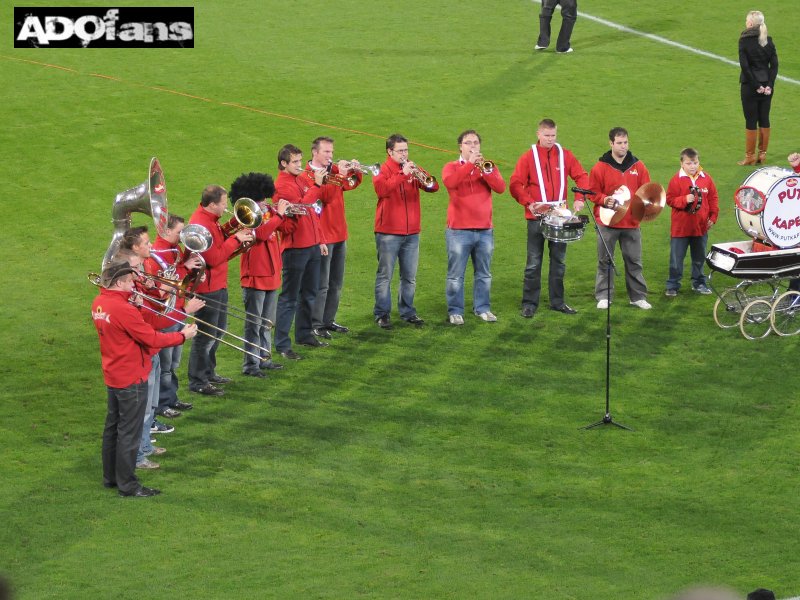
{"x":768,"y":206}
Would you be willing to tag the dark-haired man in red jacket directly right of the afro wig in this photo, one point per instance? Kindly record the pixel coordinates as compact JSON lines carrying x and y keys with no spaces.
{"x":302,"y":249}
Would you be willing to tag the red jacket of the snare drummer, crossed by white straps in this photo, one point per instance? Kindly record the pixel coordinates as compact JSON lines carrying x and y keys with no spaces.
{"x":524,"y":183}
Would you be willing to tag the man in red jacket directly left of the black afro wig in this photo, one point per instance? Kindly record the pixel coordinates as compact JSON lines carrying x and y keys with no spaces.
{"x":203,"y":355}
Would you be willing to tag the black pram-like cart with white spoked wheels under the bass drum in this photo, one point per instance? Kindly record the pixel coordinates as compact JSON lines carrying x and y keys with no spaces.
{"x":759,"y":303}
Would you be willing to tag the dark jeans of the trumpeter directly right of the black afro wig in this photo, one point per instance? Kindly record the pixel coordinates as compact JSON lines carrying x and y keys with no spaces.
{"x":300,"y":282}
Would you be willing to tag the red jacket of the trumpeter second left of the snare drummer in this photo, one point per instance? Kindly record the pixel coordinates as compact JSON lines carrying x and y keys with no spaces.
{"x":398,"y":211}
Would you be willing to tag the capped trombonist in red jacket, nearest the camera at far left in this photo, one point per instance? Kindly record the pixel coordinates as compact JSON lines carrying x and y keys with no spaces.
{"x":126,"y":343}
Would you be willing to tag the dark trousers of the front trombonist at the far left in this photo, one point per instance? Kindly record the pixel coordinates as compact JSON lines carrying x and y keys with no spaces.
{"x":121,"y":435}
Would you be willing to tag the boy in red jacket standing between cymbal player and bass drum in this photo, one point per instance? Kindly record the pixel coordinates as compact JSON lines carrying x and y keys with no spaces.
{"x":695,"y":207}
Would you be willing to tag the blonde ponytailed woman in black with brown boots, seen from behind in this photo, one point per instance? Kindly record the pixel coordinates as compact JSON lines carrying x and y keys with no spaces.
{"x":759,"y":62}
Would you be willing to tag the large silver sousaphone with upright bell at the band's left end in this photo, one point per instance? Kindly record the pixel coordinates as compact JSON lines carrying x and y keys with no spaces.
{"x":149,"y":197}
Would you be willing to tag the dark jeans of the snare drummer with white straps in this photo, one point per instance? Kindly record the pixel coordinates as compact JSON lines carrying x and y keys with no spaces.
{"x":532,"y":282}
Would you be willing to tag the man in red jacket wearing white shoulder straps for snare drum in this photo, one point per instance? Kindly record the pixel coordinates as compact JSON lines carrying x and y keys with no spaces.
{"x":540,"y":177}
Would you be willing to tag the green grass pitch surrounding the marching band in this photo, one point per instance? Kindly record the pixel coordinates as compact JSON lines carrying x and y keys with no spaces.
{"x":432,"y":463}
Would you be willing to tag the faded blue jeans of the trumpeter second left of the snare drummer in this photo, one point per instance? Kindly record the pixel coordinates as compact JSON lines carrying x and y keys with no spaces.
{"x":392,"y":249}
